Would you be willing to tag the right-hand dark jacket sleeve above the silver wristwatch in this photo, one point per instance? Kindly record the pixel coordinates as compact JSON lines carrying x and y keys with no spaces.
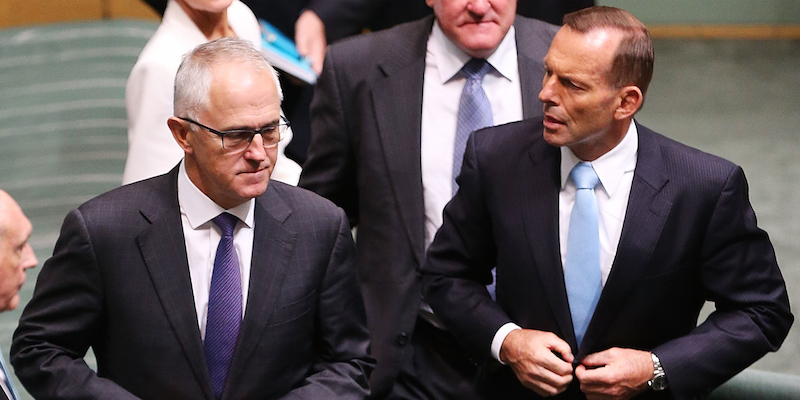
{"x":740,"y":274}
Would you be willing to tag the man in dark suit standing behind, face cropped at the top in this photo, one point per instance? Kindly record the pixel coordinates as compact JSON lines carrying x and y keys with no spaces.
{"x":384,"y":123}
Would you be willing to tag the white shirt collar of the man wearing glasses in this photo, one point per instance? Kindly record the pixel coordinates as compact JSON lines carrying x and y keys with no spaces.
{"x":199,"y":208}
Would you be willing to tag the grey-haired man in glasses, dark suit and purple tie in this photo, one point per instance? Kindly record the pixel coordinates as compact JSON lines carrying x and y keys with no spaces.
{"x":273,"y":312}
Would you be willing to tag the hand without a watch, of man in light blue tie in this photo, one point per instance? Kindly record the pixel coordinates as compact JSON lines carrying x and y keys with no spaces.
{"x":541,"y":360}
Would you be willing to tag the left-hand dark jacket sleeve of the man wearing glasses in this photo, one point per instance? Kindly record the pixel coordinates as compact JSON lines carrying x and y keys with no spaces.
{"x":61,"y":320}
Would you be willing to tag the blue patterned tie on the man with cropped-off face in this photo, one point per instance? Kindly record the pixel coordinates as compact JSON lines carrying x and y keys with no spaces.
{"x":474,"y":110}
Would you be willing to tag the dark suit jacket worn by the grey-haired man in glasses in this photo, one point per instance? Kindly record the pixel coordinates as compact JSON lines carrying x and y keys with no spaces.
{"x":119,"y":282}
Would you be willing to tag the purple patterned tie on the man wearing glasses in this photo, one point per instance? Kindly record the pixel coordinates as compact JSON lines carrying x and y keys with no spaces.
{"x":224,"y":306}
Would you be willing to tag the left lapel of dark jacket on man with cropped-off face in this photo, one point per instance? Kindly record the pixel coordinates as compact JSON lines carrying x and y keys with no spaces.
{"x":397,"y":99}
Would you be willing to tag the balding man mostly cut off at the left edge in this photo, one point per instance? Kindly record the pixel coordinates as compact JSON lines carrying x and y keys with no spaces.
{"x":16,"y":256}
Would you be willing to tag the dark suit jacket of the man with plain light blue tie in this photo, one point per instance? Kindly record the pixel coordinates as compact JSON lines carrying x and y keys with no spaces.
{"x":689,"y":236}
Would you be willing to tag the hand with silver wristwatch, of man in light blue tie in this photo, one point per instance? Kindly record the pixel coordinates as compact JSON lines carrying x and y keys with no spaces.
{"x":615,"y":374}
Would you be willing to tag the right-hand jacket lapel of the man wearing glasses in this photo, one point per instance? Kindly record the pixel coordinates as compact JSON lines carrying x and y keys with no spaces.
{"x":273,"y":247}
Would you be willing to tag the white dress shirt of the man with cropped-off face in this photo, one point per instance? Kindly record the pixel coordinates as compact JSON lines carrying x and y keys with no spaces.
{"x":440,"y":97}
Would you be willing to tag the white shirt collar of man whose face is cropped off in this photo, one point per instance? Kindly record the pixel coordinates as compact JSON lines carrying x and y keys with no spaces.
{"x":449,"y":59}
